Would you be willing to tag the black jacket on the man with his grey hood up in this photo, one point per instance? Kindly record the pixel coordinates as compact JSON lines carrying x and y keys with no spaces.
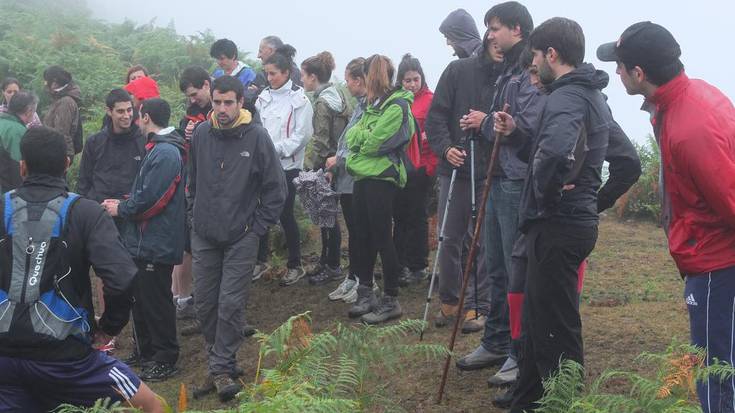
{"x":465,"y":84}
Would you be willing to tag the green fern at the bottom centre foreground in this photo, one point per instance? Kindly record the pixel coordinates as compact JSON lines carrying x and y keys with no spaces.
{"x":333,"y":371}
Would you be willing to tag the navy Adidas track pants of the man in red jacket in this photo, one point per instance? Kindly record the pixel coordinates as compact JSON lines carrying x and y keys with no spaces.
{"x":710,"y":298}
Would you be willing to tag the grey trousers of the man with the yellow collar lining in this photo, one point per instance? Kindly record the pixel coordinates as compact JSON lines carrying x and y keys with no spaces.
{"x":222,"y":277}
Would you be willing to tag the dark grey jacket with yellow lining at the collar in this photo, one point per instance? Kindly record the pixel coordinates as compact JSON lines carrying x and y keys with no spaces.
{"x":236,"y":182}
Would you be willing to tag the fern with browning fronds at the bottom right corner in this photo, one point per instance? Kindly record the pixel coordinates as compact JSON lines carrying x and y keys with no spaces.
{"x":669,"y":389}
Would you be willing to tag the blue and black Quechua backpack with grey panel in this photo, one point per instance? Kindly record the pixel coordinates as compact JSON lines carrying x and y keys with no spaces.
{"x":38,"y":303}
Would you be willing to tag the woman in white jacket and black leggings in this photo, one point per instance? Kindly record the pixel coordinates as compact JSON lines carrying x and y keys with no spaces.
{"x":287,"y":115}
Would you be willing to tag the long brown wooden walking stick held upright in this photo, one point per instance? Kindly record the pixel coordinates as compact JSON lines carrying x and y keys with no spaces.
{"x":471,"y":256}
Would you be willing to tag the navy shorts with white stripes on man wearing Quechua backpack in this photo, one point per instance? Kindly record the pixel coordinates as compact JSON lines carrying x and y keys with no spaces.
{"x":40,"y":386}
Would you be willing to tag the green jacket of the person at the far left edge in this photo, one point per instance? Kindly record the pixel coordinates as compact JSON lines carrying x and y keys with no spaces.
{"x":11,"y":131}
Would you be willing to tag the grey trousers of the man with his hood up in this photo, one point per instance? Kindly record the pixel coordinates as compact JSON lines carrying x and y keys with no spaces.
{"x":455,"y":247}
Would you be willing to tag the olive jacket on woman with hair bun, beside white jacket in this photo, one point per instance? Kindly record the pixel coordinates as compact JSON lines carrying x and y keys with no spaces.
{"x":331,"y":116}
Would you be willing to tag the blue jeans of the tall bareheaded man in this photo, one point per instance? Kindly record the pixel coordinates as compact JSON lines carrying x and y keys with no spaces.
{"x":500,"y":231}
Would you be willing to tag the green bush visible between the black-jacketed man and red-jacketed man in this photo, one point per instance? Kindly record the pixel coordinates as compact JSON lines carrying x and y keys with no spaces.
{"x":643,"y":199}
